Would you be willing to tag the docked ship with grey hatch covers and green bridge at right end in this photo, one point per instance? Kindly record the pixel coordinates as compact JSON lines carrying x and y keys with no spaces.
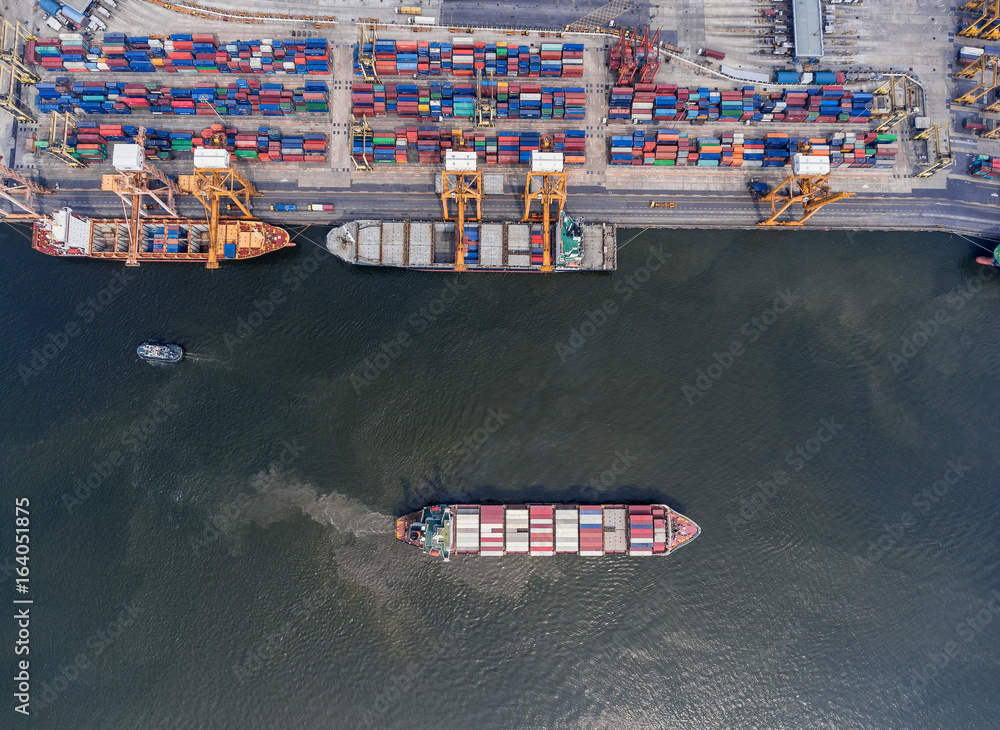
{"x":505,"y":246}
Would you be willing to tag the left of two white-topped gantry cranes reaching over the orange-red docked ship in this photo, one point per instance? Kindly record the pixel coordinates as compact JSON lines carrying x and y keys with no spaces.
{"x":134,"y":182}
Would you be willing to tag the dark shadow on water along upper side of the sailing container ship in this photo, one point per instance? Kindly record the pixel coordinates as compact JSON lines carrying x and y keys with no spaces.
{"x":431,"y":493}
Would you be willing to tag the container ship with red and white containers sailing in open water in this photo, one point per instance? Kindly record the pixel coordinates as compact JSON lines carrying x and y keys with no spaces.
{"x":546,"y":529}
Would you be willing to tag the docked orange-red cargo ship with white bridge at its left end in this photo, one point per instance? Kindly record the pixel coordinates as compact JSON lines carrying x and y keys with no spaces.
{"x":161,"y":238}
